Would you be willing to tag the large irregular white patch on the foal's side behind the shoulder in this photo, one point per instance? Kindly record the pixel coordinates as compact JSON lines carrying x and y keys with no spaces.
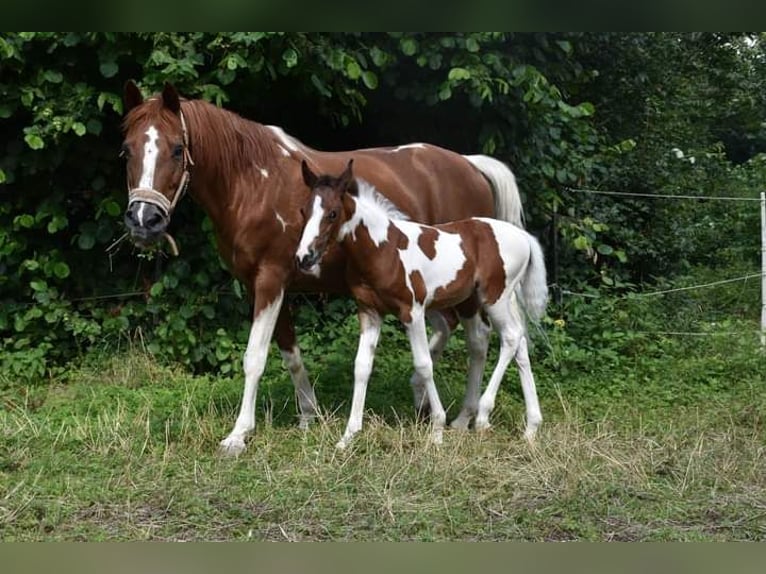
{"x":437,"y":272}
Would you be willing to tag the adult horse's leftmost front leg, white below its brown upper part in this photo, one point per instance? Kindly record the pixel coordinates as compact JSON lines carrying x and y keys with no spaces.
{"x":268,"y":295}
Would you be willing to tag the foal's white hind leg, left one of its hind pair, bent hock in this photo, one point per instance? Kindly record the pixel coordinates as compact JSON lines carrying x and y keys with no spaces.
{"x":505,"y":321}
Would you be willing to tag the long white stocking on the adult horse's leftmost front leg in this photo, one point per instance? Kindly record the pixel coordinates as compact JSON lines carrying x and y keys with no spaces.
{"x":254,"y":364}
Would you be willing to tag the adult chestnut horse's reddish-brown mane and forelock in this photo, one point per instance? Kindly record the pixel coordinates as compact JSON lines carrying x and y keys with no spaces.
{"x":219,"y":139}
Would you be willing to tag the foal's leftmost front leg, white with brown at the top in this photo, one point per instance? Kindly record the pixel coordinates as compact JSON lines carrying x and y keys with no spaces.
{"x":369,"y":325}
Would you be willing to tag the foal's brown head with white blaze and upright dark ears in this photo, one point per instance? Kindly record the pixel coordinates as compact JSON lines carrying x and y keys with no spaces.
{"x":324,"y":213}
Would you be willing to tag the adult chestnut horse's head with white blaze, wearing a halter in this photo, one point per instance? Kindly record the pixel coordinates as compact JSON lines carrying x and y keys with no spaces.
{"x":156,"y":151}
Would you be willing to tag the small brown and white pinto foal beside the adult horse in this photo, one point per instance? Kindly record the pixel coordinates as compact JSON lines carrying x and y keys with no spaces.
{"x":405,"y":268}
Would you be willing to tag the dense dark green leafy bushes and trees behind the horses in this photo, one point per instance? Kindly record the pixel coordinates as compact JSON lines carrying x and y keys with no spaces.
{"x":564,"y":110}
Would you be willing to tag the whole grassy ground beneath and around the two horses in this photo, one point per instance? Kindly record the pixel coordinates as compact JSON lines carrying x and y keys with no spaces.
{"x":122,"y":448}
